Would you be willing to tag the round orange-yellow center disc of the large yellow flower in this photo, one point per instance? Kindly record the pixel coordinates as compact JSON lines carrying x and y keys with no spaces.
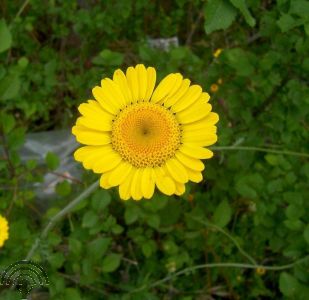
{"x":146,"y":134}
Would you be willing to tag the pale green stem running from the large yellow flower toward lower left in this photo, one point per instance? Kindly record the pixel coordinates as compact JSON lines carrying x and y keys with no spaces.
{"x":59,"y":215}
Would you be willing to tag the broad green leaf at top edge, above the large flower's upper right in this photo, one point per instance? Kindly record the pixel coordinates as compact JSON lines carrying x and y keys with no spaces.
{"x":219,"y":14}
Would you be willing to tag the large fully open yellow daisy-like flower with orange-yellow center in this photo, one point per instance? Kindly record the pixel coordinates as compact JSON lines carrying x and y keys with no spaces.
{"x":139,"y":137}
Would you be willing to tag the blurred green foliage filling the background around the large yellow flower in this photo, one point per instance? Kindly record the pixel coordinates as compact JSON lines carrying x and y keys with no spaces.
{"x":53,"y":52}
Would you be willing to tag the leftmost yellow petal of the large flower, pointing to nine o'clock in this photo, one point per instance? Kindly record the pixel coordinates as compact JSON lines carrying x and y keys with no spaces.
{"x":90,"y":137}
